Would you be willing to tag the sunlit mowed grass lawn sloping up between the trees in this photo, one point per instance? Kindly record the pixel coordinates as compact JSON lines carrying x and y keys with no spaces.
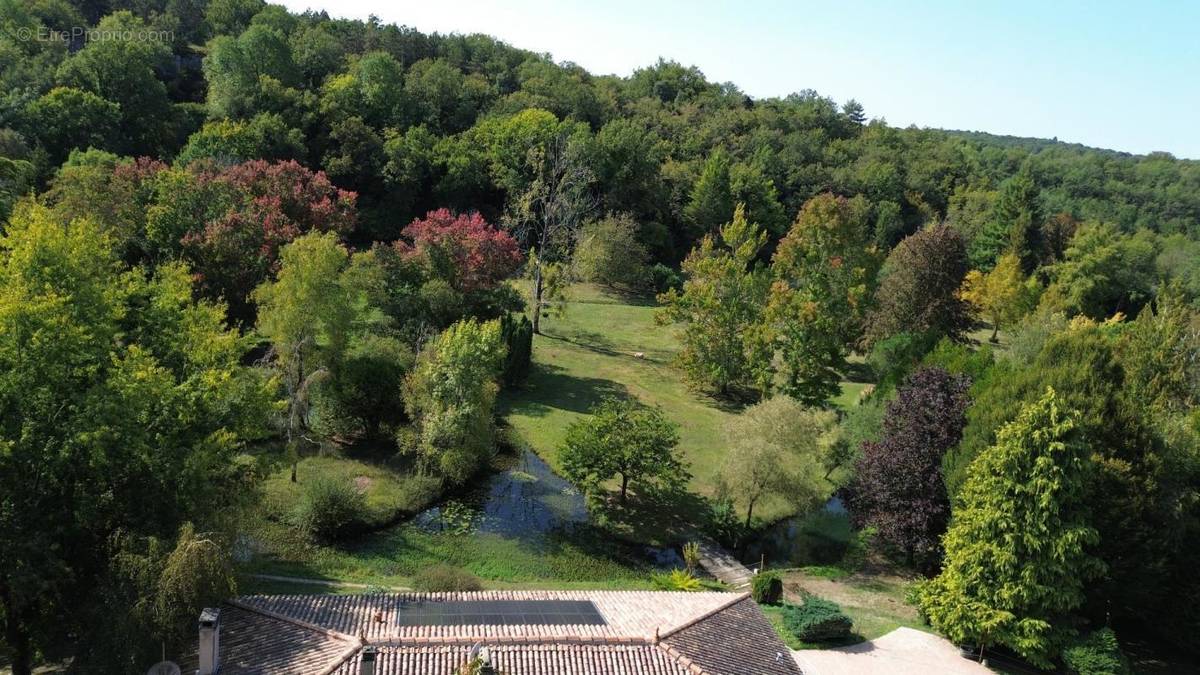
{"x":589,"y":355}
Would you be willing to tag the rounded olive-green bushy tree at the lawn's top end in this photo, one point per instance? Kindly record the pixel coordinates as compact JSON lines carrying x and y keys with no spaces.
{"x":610,"y":253}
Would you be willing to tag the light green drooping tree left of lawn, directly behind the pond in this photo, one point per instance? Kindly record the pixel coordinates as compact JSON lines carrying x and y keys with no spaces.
{"x":452,"y":395}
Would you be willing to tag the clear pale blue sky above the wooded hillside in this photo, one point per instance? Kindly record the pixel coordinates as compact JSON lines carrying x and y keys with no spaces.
{"x":1113,"y":75}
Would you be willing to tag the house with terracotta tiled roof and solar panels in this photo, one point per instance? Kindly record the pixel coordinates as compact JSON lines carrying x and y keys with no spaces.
{"x":509,"y":632}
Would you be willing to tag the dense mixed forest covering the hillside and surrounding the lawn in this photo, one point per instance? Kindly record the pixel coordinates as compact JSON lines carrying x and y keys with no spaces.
{"x":226,"y":225}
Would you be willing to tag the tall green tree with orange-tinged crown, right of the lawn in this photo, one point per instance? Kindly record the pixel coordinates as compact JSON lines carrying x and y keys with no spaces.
{"x":824,"y":273}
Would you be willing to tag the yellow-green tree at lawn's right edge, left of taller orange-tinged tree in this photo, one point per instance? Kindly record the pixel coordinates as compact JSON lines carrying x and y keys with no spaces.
{"x":721,"y":309}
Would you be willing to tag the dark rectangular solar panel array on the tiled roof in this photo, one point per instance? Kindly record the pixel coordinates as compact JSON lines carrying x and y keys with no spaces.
{"x":500,"y":613}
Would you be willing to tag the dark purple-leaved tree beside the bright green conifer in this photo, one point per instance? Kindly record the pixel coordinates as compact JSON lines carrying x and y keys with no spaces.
{"x":898,"y":488}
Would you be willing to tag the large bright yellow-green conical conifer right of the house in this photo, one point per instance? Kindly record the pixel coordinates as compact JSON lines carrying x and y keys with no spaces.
{"x":1019,"y":548}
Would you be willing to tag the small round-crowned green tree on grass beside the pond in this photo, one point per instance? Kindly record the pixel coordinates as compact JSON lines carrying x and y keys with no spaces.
{"x":623,"y":440}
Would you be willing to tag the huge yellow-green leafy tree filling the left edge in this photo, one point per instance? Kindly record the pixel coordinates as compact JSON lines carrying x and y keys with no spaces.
{"x":124,"y":403}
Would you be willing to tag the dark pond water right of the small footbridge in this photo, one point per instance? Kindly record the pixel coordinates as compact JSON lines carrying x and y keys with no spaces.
{"x":814,"y":539}
